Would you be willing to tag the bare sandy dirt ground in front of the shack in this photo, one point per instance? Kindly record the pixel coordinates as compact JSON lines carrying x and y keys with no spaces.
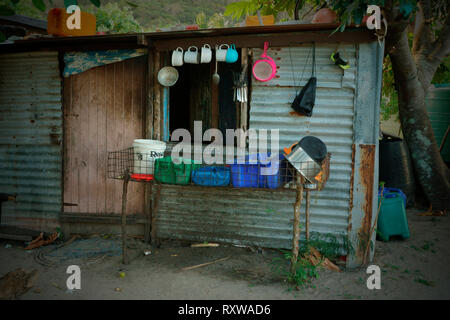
{"x":416,"y":268}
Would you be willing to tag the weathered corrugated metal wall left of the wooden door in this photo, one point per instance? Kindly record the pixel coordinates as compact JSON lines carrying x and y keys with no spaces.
{"x":30,"y":139}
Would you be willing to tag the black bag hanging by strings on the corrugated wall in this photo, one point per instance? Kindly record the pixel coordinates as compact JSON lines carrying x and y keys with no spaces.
{"x":304,"y":101}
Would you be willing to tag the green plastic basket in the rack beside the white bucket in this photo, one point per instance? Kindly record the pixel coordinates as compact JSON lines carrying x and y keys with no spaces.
{"x":166,"y":171}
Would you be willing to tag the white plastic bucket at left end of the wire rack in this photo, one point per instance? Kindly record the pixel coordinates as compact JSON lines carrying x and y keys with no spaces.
{"x":145,"y":154}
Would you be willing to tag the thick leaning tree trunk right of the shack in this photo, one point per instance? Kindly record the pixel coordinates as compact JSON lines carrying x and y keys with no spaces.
{"x":431,"y":171}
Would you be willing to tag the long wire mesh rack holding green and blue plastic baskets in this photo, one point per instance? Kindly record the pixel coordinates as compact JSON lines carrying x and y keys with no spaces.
{"x":252,"y":171}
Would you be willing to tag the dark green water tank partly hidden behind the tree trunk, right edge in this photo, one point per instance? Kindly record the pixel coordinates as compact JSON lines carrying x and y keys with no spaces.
{"x":438,"y":105}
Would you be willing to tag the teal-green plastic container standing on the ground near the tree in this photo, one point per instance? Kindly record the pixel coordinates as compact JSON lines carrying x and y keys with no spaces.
{"x":392,"y":219}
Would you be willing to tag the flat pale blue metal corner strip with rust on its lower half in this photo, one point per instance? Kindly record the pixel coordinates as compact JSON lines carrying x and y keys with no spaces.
{"x":364,"y":199}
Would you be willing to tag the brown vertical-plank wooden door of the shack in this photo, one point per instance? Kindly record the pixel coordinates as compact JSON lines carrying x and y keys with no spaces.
{"x":103,"y":111}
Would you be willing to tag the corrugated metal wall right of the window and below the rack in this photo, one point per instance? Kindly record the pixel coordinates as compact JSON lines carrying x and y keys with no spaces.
{"x":264,"y":218}
